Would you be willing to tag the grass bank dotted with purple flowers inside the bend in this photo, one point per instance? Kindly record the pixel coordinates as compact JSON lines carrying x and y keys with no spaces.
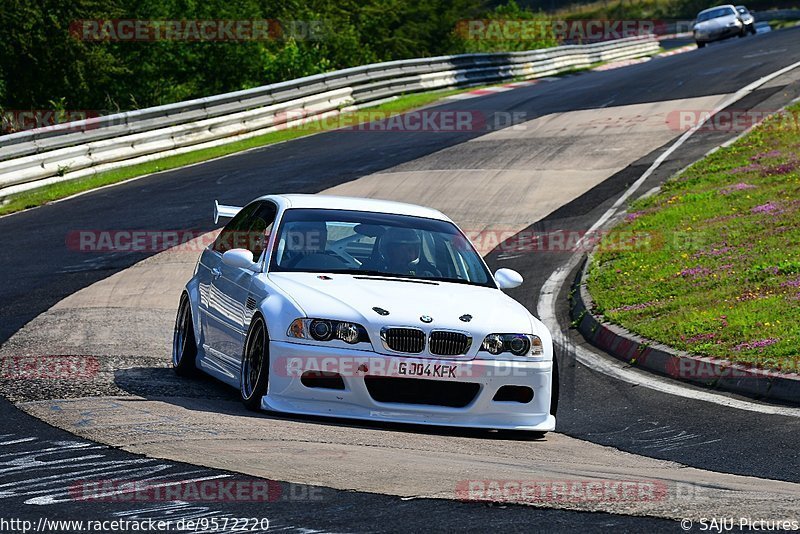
{"x":712,"y":262}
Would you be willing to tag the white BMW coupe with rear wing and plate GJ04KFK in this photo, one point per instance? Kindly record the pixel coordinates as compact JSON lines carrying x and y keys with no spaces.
{"x":363,"y":309}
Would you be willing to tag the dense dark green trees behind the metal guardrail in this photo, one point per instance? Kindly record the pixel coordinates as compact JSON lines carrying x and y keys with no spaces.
{"x":51,"y":56}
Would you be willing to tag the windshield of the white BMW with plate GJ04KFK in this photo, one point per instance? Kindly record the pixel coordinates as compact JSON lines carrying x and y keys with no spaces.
{"x":376,"y":244}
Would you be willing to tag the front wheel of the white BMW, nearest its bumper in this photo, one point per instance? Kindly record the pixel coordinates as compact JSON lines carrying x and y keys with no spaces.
{"x":254,"y":373}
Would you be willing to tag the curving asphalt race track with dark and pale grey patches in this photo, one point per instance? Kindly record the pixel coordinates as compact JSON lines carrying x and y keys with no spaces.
{"x":591,"y":134}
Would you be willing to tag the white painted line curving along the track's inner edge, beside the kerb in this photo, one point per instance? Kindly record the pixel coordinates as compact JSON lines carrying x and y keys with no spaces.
{"x":548,"y":294}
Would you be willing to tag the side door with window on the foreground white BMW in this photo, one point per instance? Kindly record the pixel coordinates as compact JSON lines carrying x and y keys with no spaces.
{"x":230,"y":286}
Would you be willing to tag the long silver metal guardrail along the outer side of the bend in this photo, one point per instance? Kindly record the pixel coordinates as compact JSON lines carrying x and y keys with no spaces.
{"x":34,"y":158}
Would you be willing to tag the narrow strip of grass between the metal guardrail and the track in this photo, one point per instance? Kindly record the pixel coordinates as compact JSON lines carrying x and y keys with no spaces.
{"x":40,"y":196}
